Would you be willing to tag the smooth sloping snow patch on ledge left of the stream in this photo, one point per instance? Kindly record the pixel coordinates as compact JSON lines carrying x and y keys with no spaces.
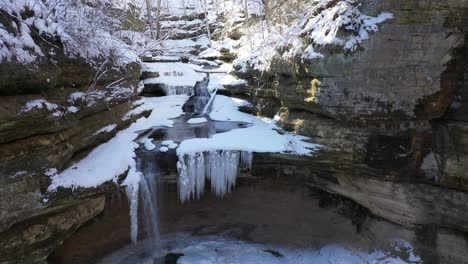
{"x":115,"y":157}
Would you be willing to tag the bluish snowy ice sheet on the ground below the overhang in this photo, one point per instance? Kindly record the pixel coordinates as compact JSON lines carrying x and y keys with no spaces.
{"x":219,"y":250}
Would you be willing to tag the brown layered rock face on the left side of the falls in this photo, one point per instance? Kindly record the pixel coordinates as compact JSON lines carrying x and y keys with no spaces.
{"x":49,"y":118}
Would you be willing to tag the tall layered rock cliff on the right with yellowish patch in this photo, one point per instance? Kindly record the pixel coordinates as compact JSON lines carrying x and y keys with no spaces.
{"x":392,"y":116}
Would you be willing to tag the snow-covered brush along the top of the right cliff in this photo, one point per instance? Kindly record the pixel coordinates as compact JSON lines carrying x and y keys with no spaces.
{"x":329,"y":22}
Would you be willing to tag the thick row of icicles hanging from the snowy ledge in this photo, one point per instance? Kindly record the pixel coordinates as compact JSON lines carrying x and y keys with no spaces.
{"x":221,"y":167}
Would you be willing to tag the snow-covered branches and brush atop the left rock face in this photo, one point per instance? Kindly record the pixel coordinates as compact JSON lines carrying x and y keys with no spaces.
{"x":85,"y":30}
